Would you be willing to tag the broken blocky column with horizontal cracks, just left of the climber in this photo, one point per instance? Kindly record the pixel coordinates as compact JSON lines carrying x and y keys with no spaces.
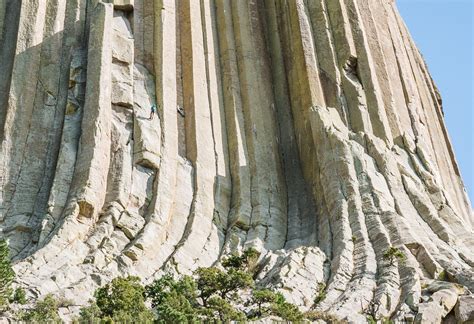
{"x":123,"y":216}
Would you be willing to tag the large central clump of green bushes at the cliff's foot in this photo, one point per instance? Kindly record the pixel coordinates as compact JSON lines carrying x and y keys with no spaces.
{"x":211,"y":295}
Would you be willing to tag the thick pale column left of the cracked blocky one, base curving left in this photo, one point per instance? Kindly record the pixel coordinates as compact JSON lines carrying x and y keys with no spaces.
{"x":66,"y":247}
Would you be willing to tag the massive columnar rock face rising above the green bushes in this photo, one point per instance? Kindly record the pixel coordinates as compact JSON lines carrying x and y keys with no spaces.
{"x":310,"y":130}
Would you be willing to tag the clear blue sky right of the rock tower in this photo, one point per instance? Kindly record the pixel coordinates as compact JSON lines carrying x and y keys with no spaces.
{"x":443,"y":30}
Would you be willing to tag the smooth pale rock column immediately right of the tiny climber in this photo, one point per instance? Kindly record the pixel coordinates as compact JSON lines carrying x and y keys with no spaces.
{"x":156,"y":228}
